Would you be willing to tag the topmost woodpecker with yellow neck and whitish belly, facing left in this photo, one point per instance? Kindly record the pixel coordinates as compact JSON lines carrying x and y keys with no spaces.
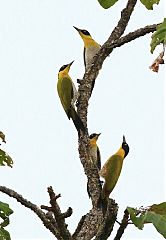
{"x":91,"y":48}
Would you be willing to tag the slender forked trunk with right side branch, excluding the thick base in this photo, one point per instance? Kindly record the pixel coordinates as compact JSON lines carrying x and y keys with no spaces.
{"x":85,"y":88}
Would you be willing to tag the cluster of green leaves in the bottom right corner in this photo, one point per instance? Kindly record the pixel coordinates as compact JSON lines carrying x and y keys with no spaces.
{"x":155,"y":214}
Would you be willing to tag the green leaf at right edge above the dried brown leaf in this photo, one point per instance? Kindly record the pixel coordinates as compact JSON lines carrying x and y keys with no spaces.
{"x":159,"y":36}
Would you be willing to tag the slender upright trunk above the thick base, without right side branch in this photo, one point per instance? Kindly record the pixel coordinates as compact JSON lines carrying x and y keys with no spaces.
{"x":84,"y":94}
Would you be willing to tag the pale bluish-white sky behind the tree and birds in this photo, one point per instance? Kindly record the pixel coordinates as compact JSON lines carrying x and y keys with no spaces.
{"x":36,"y":39}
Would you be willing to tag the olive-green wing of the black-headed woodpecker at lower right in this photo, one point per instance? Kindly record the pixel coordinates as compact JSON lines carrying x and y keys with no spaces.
{"x":113,"y":168}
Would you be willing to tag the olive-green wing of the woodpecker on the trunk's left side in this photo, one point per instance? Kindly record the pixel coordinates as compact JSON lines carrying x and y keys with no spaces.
{"x":65,"y":92}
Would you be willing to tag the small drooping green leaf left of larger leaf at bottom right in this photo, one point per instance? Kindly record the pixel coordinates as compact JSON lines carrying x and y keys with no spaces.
{"x":138,"y":221}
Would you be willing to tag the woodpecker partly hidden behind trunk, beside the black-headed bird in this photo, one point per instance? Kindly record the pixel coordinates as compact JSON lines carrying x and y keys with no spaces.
{"x":94,"y":153}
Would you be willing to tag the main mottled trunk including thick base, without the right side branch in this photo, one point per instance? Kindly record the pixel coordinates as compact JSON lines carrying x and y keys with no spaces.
{"x":94,"y":219}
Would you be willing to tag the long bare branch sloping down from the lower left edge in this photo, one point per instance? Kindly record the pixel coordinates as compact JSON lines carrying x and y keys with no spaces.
{"x":47,"y":223}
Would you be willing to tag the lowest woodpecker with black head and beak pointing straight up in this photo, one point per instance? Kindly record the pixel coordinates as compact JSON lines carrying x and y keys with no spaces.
{"x":112,"y":169}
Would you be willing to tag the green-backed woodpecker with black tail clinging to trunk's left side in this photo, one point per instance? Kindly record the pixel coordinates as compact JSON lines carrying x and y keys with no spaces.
{"x":68,"y":95}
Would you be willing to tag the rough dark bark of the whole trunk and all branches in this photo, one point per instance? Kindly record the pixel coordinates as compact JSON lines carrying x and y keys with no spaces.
{"x":95,"y":223}
